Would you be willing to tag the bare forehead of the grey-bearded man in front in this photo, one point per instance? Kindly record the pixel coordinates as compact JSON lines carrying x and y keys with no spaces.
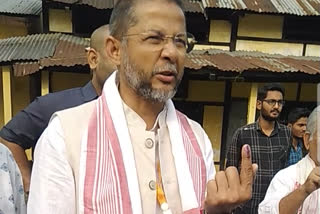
{"x":162,"y":15}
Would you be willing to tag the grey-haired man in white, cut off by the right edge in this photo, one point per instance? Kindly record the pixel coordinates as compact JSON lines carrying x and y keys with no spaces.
{"x":295,"y":189}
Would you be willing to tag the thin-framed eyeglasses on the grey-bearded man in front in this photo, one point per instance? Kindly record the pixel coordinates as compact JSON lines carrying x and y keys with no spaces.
{"x":155,"y":40}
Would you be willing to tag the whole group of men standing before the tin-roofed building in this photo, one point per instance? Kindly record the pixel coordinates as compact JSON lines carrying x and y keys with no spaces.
{"x":118,"y":144}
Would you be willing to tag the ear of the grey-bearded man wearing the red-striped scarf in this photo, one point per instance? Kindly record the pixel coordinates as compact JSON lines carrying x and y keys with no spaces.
{"x":113,"y":50}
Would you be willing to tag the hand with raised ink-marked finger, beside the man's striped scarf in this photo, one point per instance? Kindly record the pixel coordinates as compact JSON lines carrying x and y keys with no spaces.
{"x":229,"y":189}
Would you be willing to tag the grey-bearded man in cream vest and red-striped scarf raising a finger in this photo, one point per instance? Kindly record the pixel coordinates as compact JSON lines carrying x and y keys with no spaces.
{"x":130,"y":151}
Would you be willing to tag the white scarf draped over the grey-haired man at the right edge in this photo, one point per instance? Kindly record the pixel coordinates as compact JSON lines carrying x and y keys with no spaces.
{"x":311,"y":203}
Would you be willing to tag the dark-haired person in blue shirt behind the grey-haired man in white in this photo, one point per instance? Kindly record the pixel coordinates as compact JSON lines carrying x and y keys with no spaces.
{"x":297,"y":122}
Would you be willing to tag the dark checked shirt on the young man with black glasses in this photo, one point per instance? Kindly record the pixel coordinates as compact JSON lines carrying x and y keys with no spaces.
{"x":269,"y":152}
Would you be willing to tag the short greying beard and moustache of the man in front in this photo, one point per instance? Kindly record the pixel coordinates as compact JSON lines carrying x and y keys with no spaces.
{"x":140,"y":81}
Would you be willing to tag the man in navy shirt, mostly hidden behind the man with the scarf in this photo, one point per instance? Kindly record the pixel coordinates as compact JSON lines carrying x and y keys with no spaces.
{"x":23,"y":130}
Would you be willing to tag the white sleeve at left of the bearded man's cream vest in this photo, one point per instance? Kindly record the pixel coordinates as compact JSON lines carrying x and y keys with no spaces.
{"x":52,"y":177}
